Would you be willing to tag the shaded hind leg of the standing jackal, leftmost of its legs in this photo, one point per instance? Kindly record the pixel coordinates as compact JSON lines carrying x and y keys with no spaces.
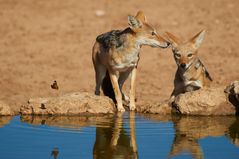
{"x":100,"y":72}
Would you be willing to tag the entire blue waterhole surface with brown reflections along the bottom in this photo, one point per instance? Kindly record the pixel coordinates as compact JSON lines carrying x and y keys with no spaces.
{"x":86,"y":137}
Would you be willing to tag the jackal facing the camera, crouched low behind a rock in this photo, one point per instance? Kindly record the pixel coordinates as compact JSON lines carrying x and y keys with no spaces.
{"x":191,"y":73}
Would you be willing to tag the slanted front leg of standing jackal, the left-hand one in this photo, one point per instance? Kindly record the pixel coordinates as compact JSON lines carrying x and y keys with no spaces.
{"x":118,"y":95}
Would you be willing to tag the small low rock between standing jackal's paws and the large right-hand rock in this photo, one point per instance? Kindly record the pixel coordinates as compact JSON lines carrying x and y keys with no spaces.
{"x":155,"y":108}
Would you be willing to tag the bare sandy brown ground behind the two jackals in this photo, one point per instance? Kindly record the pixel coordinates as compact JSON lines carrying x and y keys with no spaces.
{"x":42,"y":41}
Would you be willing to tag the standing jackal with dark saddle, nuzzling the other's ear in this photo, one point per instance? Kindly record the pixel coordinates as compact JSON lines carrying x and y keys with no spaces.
{"x":116,"y":54}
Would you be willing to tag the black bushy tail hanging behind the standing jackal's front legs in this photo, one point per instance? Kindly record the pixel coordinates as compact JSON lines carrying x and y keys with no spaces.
{"x":107,"y":87}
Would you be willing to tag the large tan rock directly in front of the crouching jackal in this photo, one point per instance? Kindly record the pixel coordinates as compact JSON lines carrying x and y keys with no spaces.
{"x":206,"y":101}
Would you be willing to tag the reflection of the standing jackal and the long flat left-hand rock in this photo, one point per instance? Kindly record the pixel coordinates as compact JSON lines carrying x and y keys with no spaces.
{"x":113,"y":139}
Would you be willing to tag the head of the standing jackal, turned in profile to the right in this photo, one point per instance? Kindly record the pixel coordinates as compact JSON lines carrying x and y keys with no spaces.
{"x":145,"y":33}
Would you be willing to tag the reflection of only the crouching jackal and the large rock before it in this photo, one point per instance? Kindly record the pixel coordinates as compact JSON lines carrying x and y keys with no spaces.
{"x":188,"y":131}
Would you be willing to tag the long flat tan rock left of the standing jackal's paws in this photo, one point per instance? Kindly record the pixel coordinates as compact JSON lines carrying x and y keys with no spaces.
{"x":69,"y":104}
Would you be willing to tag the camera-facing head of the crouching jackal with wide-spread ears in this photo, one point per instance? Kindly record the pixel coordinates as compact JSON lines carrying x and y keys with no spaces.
{"x":185,"y":52}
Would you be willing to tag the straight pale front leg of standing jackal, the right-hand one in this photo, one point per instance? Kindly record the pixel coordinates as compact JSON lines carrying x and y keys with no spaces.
{"x":132,"y":89}
